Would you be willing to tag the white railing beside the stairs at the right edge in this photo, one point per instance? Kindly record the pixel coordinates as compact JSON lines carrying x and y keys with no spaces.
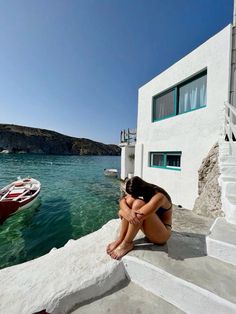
{"x":230,"y":123}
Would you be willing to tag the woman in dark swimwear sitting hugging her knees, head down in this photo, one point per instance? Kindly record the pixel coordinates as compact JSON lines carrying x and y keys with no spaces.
{"x":147,"y":207}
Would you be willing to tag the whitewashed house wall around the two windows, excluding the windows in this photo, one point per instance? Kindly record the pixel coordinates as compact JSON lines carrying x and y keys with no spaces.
{"x":194,"y":132}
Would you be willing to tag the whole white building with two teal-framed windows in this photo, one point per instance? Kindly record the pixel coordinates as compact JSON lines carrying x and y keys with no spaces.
{"x":180,"y":117}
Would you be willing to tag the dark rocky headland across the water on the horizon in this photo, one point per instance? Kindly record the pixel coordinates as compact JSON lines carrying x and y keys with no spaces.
{"x":21,"y":139}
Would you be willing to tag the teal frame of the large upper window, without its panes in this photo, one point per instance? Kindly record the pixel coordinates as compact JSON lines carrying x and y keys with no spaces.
{"x":175,"y":89}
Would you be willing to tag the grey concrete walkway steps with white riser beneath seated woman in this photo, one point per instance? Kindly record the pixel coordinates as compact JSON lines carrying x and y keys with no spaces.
{"x":171,"y":278}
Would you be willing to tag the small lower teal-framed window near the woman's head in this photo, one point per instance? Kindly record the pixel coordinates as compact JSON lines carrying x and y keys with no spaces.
{"x":167,"y":160}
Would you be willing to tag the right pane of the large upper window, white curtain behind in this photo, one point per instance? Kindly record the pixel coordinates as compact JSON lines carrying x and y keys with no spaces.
{"x":193,"y":95}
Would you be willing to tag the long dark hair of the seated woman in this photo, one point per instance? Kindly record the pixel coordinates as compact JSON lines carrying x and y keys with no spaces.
{"x":138,"y":187}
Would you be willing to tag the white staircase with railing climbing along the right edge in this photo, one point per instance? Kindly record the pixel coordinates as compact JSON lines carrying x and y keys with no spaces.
{"x":221,"y":242}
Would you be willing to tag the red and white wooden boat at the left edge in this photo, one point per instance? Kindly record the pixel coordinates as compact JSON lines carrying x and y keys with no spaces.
{"x":18,"y":195}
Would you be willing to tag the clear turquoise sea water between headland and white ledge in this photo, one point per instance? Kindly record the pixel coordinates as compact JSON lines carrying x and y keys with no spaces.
{"x":76,"y":199}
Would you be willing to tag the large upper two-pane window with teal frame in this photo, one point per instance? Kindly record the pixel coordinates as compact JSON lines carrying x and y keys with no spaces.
{"x":187,"y":96}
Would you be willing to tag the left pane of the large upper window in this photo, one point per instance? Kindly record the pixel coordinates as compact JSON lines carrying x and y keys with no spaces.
{"x":164,"y":105}
